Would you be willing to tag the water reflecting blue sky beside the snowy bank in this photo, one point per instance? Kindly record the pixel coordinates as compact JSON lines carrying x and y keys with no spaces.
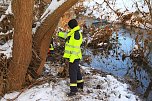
{"x":111,"y":61}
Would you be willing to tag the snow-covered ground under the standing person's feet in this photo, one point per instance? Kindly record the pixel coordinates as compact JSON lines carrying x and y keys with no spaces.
{"x":97,"y":87}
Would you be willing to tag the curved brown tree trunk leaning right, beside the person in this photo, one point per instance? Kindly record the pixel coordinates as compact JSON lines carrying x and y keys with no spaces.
{"x":43,"y":35}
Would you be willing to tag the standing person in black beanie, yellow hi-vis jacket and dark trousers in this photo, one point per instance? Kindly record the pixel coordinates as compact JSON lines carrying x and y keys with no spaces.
{"x":72,"y":52}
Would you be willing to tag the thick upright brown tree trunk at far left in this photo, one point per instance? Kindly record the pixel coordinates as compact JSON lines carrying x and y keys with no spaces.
{"x":22,"y":43}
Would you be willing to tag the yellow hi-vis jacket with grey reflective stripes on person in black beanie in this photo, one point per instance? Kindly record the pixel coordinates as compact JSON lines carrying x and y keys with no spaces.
{"x":73,"y":42}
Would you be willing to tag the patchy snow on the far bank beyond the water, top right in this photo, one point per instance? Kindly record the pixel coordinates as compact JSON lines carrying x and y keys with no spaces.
{"x":98,"y":9}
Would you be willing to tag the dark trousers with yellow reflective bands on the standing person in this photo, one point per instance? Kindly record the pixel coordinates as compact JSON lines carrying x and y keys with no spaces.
{"x":75,"y":75}
